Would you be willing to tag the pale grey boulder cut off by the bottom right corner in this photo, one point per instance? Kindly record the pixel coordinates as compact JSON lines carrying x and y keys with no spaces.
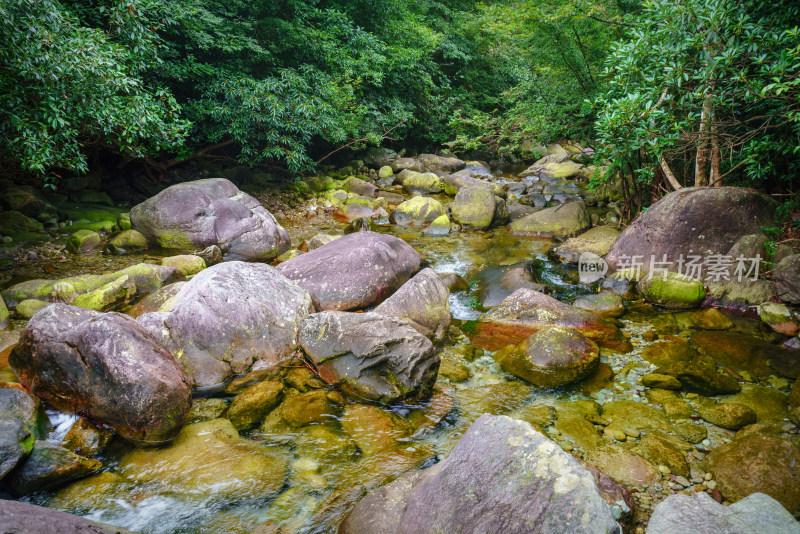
{"x":698,"y":512}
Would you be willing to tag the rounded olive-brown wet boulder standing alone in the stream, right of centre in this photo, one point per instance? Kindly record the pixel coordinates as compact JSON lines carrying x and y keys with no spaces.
{"x":551,"y":357}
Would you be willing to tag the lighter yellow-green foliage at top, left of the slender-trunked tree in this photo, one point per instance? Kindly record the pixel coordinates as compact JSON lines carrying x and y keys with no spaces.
{"x":547,"y":56}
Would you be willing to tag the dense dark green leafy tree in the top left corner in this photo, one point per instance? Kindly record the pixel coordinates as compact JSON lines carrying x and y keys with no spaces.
{"x":64,"y":86}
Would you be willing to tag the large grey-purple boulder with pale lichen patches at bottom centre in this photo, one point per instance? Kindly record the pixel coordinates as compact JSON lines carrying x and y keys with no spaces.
{"x":502,"y":476}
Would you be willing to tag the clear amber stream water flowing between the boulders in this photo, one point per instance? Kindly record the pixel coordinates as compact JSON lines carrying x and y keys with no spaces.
{"x":296,"y":481}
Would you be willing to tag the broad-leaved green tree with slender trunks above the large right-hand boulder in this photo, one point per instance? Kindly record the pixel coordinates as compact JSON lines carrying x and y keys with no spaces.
{"x":737,"y":60}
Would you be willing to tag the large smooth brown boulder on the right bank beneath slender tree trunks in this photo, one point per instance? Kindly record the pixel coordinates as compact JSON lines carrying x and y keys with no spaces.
{"x":694,"y":221}
